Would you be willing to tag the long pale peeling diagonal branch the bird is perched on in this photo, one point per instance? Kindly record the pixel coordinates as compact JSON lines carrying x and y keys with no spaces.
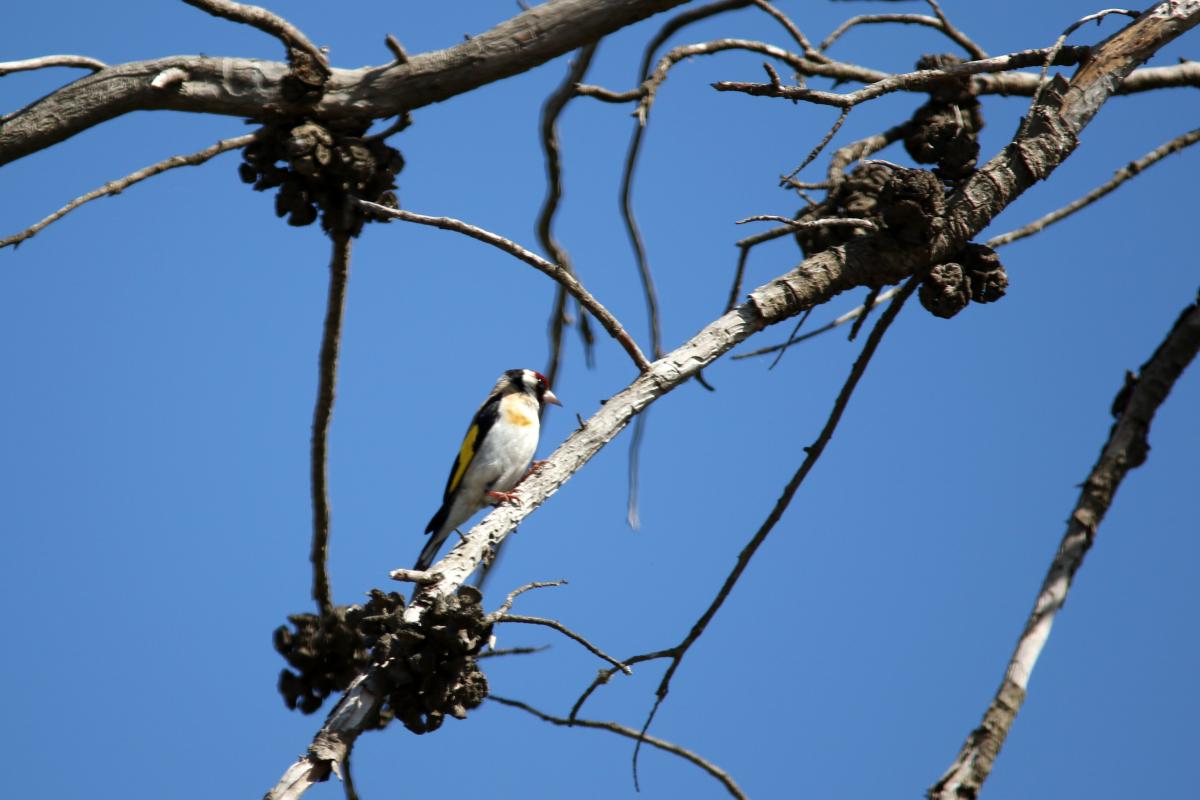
{"x":1045,"y":145}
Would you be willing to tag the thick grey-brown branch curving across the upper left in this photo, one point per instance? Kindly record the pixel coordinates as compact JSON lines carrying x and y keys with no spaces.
{"x":255,"y":89}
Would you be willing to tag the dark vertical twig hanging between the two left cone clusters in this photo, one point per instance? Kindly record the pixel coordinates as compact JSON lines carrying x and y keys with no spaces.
{"x":322,"y":413}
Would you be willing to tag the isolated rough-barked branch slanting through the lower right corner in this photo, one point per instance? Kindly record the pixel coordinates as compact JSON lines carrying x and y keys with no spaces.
{"x":1126,"y":449}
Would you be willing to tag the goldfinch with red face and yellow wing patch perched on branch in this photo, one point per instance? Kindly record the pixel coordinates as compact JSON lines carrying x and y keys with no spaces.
{"x":495,"y":455}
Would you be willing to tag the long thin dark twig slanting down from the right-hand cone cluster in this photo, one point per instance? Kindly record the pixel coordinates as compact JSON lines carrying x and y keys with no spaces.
{"x":814,"y":453}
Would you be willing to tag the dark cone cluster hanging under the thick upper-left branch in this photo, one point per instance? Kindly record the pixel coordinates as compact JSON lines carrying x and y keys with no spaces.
{"x":316,"y":169}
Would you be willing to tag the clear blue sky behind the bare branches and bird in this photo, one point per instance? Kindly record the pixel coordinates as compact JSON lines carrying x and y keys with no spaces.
{"x":160,"y":352}
